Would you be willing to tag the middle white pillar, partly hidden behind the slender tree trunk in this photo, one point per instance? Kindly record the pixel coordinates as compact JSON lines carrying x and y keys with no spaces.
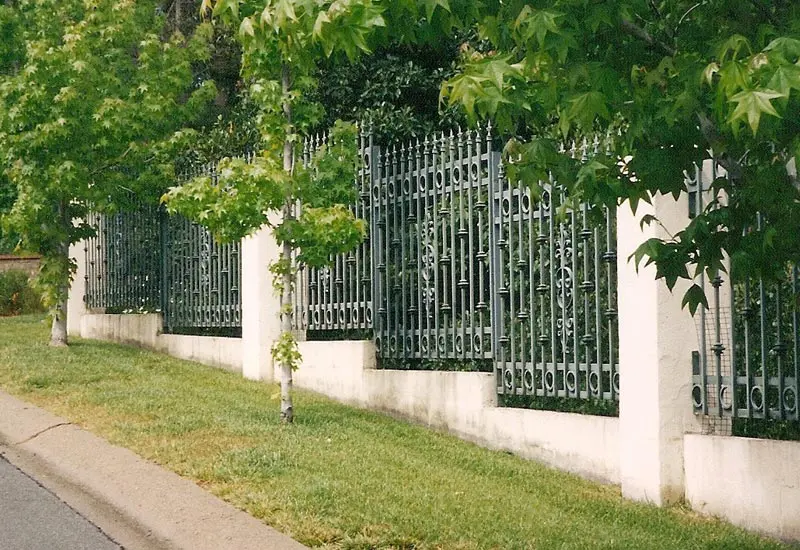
{"x":260,"y":305}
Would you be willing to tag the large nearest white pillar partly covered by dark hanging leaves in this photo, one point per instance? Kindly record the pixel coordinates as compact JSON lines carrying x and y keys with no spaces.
{"x":656,"y":339}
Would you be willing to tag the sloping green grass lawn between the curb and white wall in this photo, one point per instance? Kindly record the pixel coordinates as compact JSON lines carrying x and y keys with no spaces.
{"x":339,"y":477}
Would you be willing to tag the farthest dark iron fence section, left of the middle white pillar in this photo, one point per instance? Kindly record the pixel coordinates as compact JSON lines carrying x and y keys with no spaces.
{"x":145,"y":260}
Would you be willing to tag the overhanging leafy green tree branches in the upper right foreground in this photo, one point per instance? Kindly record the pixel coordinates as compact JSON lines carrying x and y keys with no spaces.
{"x":675,"y":79}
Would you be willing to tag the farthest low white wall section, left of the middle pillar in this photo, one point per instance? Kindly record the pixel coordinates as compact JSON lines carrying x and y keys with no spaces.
{"x":146,"y":330}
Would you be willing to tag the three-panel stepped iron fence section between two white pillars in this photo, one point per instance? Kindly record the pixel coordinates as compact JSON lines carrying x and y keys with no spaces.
{"x":462,"y":267}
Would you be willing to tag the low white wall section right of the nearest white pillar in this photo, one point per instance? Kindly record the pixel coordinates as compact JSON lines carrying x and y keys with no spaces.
{"x":754,"y":483}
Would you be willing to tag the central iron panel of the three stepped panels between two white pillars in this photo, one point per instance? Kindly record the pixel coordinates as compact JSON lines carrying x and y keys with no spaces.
{"x":430,"y":241}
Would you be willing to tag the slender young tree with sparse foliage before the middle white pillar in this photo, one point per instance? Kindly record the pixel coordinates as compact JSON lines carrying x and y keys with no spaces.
{"x":282,"y":40}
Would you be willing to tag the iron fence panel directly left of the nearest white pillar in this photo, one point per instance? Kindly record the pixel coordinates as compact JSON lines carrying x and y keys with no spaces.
{"x":554,"y":302}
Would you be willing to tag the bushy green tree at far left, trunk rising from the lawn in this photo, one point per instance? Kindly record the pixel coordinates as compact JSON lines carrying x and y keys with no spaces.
{"x":91,"y":104}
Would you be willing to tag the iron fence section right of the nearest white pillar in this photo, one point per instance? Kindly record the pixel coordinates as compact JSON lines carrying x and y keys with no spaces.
{"x":748,"y":364}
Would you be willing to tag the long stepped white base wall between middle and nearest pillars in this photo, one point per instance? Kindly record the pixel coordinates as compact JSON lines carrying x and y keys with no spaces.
{"x":462,"y":403}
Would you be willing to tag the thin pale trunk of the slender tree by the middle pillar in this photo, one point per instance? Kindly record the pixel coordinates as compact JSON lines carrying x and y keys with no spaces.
{"x":287,"y":410}
